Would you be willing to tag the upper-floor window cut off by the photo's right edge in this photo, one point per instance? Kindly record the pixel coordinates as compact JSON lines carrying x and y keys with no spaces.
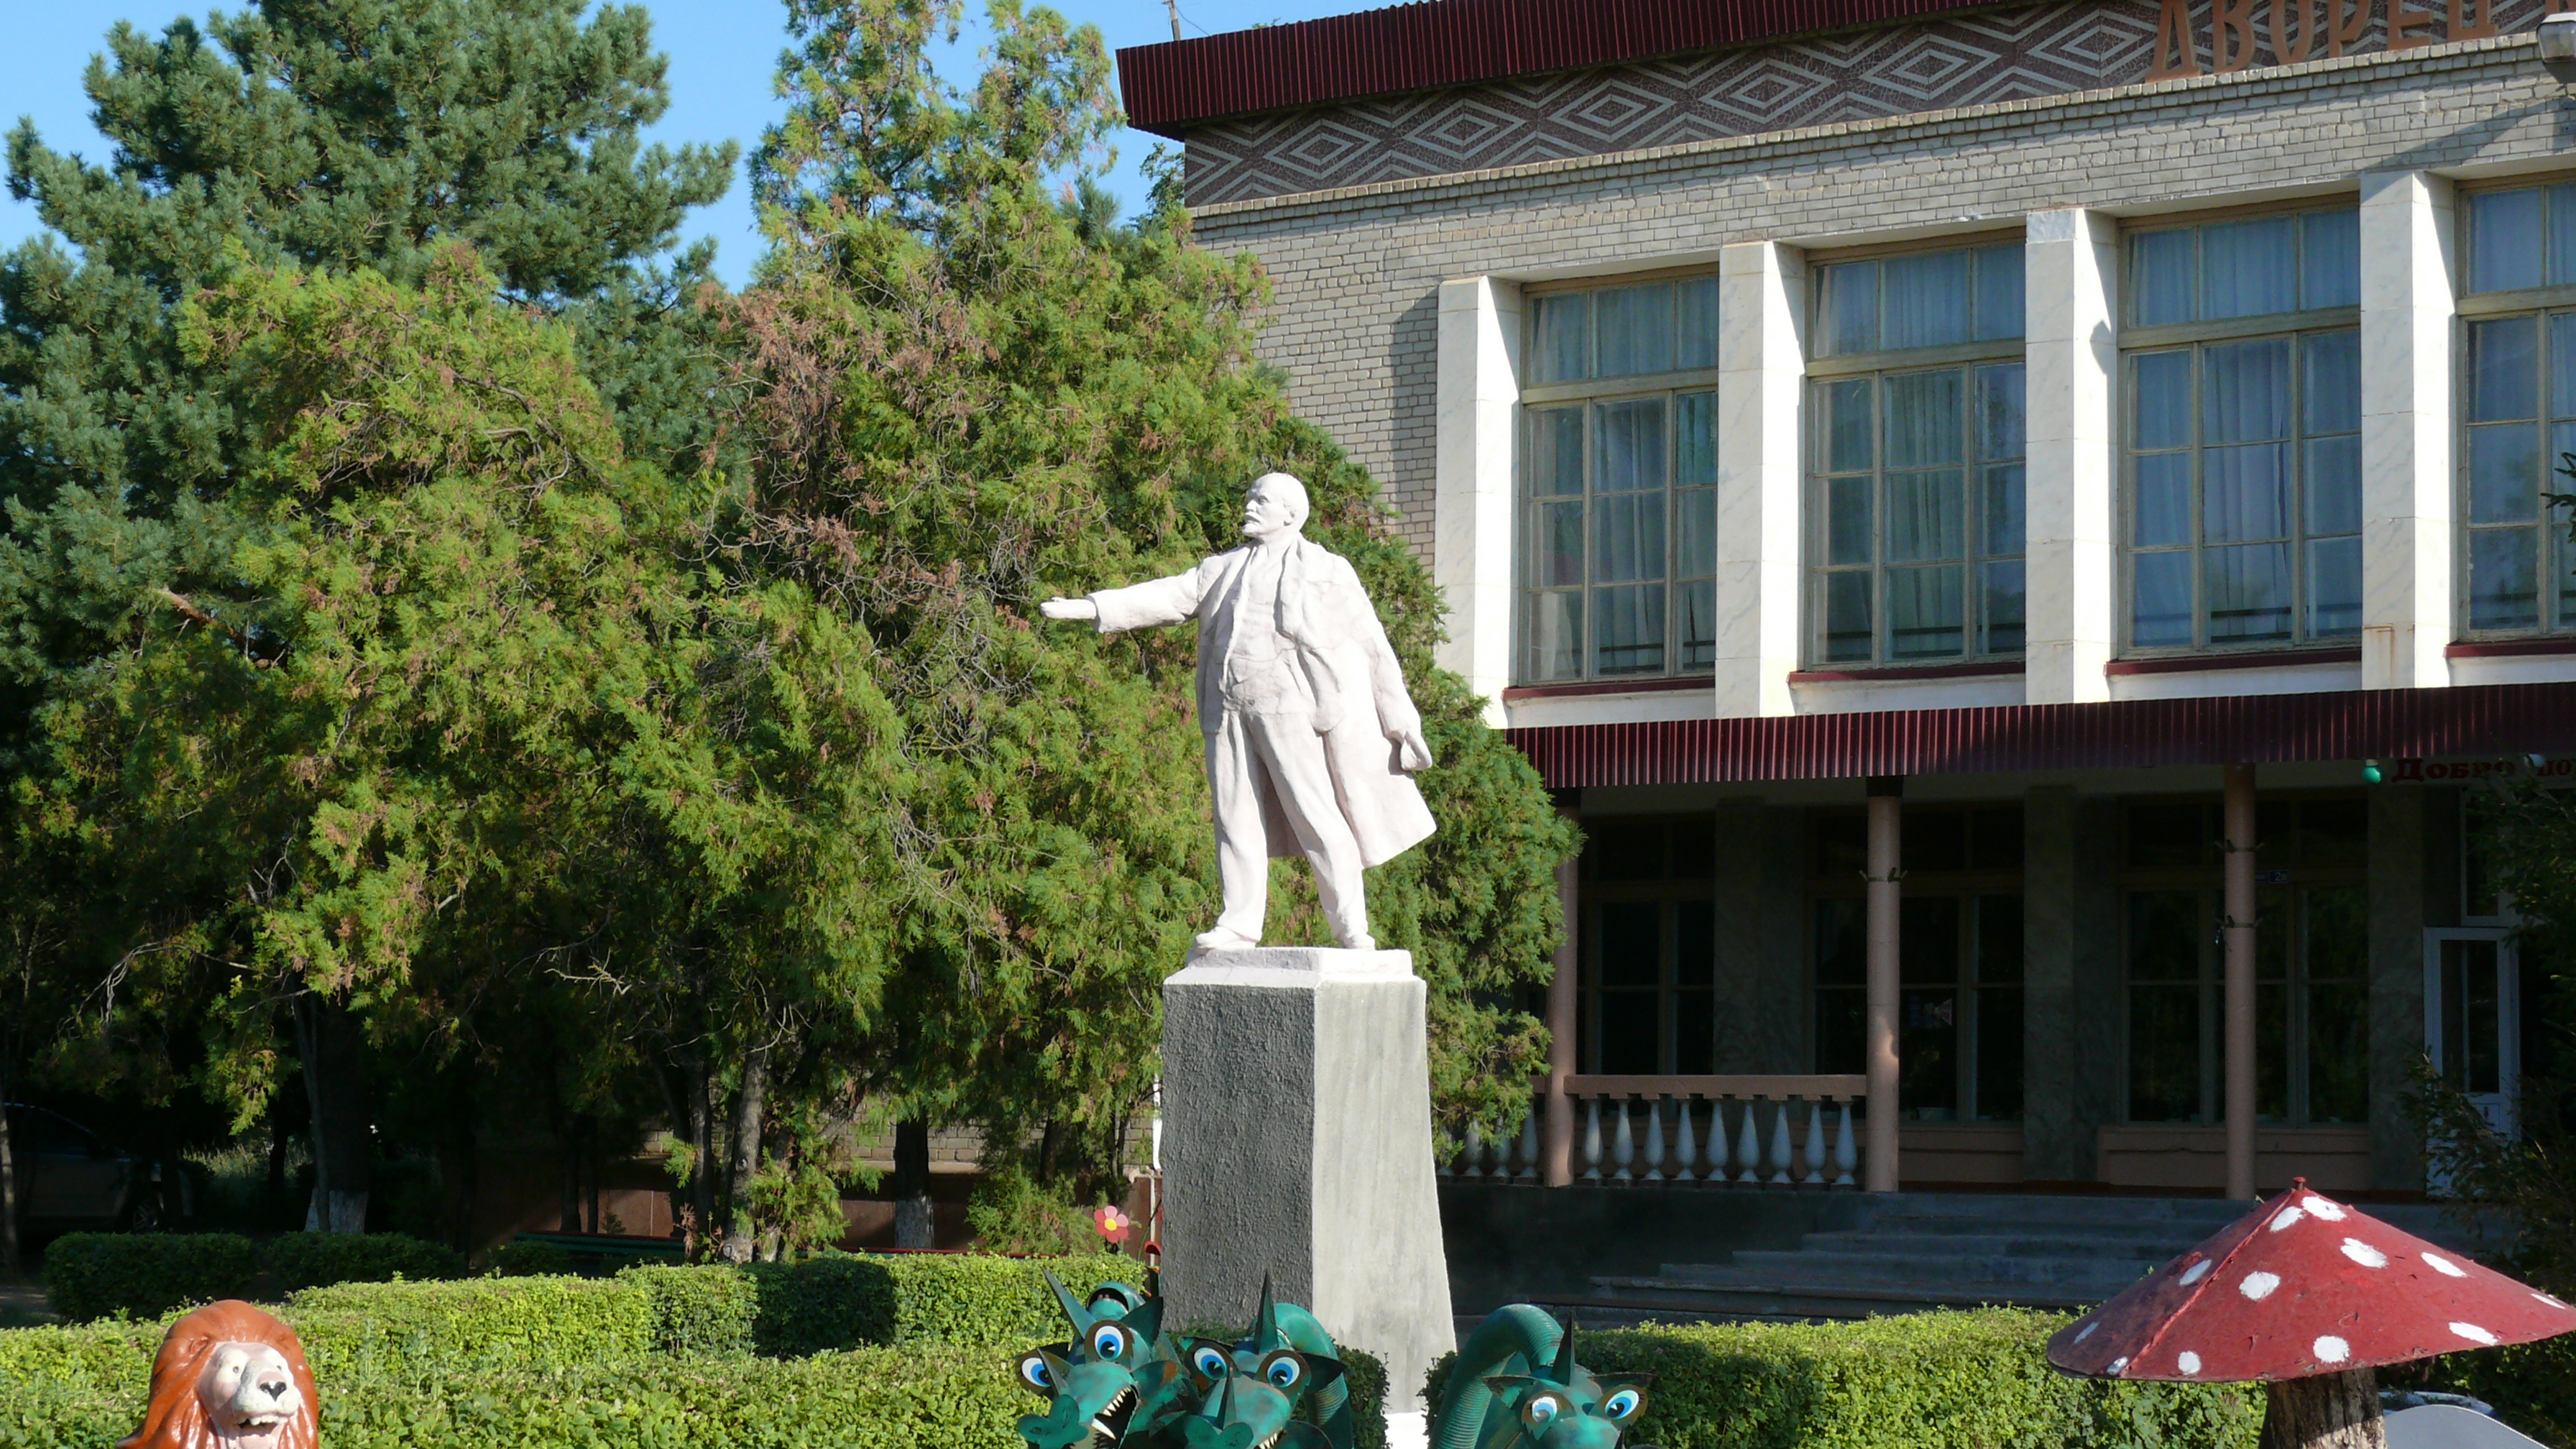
{"x":2521,"y":409}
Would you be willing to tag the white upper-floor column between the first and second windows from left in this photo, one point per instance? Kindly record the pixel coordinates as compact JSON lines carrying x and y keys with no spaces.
{"x":1761,"y":385}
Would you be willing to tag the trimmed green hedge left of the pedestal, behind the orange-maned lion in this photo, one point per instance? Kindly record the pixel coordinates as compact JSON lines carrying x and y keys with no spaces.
{"x":661,"y":1357}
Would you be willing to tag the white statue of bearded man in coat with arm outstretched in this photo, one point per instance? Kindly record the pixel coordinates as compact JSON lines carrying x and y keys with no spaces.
{"x":1312,"y":739}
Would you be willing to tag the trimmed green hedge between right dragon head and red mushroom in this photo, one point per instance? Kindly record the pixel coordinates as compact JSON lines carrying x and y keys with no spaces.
{"x":1931,"y":1381}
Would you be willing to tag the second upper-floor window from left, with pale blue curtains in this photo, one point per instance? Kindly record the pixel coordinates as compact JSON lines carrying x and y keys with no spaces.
{"x":1918,"y":458}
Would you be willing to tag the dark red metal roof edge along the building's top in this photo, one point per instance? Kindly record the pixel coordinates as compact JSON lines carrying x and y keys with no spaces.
{"x":1173,"y":86}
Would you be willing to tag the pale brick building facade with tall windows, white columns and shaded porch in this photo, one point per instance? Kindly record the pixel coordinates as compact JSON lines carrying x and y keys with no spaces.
{"x":1982,"y":478}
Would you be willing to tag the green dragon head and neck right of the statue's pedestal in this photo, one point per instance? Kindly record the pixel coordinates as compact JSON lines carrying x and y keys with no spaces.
{"x":1516,"y":1386}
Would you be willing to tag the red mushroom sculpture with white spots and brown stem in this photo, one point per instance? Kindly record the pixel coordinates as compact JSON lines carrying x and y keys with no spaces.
{"x":2307,"y":1296}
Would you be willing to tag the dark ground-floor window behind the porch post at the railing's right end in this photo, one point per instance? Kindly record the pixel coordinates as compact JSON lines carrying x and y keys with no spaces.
{"x":1959,"y":1027}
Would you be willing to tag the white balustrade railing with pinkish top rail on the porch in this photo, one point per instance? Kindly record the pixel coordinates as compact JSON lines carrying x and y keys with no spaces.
{"x":1725,"y":1131}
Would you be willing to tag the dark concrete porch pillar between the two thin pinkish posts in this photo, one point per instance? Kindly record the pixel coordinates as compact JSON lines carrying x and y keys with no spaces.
{"x":2049,"y":978}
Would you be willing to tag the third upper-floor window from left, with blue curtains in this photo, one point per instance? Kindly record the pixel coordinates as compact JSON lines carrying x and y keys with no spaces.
{"x":2245,"y":434}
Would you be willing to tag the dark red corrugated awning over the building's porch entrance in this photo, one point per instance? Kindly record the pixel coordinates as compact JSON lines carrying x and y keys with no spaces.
{"x":2134,"y":734}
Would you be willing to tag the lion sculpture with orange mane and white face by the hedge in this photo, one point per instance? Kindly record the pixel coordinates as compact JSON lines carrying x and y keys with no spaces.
{"x":231,"y":1378}
